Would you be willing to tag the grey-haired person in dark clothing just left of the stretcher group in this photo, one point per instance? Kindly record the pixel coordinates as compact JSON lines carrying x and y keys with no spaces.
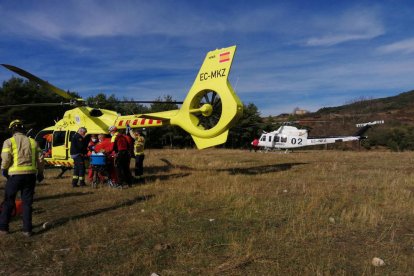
{"x":78,"y":151}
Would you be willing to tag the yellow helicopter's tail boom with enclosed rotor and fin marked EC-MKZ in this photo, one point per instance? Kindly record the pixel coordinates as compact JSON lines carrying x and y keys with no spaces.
{"x":211,"y":106}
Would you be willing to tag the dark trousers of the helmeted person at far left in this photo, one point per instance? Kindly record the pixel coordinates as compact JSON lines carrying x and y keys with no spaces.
{"x":25,"y":183}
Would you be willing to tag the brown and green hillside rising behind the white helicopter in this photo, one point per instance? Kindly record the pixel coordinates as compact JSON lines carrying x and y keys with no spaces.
{"x":397,"y":111}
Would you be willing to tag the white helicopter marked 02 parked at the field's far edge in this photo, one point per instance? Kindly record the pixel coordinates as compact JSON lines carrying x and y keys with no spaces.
{"x":289,"y":137}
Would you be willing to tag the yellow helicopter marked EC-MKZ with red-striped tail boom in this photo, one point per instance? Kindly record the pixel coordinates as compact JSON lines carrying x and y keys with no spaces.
{"x":210,"y":108}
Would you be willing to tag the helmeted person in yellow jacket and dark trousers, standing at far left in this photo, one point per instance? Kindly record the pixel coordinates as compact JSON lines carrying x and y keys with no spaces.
{"x":22,"y":165}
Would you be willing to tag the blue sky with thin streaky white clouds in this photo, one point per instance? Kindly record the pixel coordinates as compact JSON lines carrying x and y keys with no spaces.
{"x":307,"y":54}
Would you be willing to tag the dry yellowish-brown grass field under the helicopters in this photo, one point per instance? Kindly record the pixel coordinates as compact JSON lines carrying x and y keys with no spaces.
{"x":227,"y":212}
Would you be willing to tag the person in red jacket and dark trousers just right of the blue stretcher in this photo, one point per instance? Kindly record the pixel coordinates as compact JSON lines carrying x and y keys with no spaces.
{"x":122,"y":158}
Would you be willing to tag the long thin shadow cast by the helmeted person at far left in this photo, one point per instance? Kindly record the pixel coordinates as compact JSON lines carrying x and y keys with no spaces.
{"x":62,"y":221}
